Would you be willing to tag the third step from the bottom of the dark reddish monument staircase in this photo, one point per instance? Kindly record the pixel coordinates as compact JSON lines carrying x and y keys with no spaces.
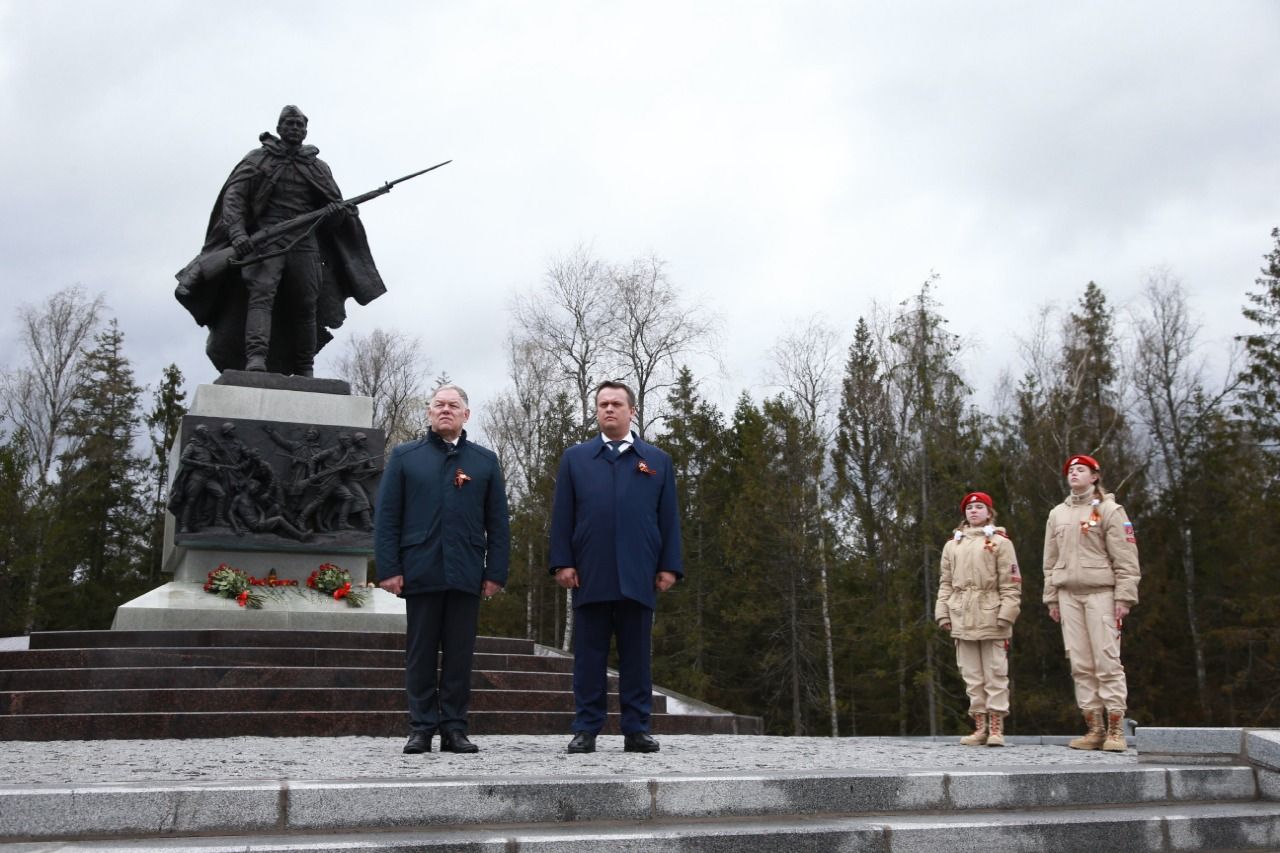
{"x":263,"y":677}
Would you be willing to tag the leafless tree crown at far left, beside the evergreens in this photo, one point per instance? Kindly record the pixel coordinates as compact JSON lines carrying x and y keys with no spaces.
{"x":39,"y":398}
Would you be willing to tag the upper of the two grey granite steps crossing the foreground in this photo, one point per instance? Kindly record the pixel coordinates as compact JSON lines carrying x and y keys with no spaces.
{"x":173,"y":810}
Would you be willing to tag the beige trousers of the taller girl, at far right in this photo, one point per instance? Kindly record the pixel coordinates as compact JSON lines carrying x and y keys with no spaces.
{"x":1094,"y":647}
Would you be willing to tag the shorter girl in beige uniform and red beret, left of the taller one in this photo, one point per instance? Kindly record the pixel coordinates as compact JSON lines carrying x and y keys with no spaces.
{"x":980,"y":596}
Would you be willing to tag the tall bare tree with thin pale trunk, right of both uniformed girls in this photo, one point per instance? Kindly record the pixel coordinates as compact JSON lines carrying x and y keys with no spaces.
{"x":1177,"y":409}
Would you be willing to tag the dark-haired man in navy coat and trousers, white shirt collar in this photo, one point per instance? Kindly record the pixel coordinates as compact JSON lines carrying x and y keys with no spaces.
{"x":616,"y":544}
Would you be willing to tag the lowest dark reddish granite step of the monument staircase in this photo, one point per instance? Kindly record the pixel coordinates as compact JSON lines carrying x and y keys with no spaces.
{"x":330,"y":724}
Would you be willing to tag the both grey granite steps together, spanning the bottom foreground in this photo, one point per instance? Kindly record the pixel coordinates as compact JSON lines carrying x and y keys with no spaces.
{"x":1067,"y":808}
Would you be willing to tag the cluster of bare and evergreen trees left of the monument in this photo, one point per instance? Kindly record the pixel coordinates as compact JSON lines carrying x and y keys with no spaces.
{"x":83,"y":492}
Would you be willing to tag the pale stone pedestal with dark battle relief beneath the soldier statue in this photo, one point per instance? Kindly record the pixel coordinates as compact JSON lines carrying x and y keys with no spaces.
{"x":253,"y":405}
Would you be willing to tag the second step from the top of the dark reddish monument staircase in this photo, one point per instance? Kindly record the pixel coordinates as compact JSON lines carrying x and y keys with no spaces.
{"x":252,"y":656}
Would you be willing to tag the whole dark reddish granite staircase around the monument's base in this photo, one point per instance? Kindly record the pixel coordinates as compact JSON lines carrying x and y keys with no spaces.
{"x":221,"y":683}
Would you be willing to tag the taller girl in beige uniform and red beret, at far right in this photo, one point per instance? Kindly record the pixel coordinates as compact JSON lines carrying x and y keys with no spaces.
{"x":1091,"y":583}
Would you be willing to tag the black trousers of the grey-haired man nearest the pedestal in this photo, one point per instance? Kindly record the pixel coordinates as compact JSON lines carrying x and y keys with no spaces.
{"x":444,"y":622}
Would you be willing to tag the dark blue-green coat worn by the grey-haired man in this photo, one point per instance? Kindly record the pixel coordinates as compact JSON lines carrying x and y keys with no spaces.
{"x":437,"y":533}
